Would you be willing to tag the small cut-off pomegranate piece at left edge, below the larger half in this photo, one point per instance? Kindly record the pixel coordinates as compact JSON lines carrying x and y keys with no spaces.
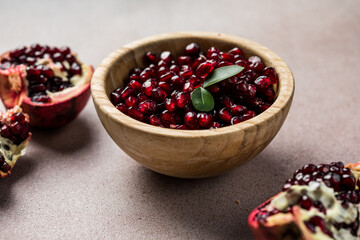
{"x":14,"y":137}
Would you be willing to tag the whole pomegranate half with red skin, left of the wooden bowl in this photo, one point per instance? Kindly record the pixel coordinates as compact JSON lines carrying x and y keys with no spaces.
{"x":50,"y":84}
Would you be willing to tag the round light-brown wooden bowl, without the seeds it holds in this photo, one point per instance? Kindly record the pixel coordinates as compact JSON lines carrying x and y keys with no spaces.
{"x":188,"y":153}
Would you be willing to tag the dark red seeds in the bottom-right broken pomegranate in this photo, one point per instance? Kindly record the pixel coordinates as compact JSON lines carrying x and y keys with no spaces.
{"x":335,"y":176}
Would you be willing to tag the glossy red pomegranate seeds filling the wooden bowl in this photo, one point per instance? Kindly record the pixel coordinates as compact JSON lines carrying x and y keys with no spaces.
{"x":160,"y":94}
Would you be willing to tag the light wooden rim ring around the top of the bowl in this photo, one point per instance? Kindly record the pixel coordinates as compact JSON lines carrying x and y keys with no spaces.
{"x":285,"y":93}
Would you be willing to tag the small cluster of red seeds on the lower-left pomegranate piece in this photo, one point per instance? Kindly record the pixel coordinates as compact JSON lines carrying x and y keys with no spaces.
{"x":16,"y":130}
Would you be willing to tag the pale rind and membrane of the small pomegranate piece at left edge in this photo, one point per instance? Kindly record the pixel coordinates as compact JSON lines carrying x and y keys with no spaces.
{"x":15,"y":151}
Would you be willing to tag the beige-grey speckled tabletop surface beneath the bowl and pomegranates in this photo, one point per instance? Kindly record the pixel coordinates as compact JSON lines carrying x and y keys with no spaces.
{"x":75,"y":183}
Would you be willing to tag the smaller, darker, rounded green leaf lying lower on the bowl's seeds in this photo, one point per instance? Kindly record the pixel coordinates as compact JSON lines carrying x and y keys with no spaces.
{"x":202,"y":100}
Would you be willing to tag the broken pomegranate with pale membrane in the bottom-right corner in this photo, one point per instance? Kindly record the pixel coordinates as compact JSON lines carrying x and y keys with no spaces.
{"x":318,"y":202}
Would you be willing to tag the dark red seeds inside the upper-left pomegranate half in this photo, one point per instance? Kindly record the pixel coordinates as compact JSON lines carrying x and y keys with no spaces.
{"x":40,"y":76}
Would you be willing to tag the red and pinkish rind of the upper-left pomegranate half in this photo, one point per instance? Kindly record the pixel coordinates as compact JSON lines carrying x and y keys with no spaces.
{"x":64,"y":106}
